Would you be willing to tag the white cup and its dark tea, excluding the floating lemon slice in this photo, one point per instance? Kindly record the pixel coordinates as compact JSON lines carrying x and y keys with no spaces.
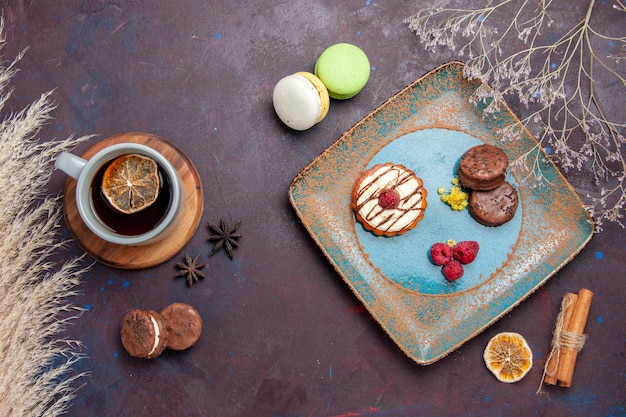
{"x":144,"y":227}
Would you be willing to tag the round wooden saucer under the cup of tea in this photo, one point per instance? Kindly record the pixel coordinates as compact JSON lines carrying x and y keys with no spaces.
{"x":137,"y":257}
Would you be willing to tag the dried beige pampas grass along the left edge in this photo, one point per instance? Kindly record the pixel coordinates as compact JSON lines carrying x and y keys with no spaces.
{"x":36,"y":376}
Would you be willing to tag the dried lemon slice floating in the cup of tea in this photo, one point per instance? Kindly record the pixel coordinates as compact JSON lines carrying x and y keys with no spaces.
{"x":131,"y":183}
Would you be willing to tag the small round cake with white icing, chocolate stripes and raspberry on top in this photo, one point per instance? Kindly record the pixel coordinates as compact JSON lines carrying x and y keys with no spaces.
{"x":389,"y":199}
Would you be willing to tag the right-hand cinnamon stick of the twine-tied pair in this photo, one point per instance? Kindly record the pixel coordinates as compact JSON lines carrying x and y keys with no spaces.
{"x":567,"y":360}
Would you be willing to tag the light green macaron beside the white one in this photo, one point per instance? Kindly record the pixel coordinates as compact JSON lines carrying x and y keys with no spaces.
{"x":344,"y":69}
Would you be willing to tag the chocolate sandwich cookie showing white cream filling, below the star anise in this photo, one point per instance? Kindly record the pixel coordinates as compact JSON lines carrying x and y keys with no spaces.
{"x":143,"y":333}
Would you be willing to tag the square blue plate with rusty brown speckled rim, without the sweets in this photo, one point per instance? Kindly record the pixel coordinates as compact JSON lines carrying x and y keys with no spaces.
{"x":427,"y":127}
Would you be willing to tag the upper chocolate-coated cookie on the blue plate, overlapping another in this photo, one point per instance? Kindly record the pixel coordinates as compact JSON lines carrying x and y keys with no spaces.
{"x":483,"y":167}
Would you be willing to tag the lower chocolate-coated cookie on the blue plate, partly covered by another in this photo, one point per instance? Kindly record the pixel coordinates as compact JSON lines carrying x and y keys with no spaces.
{"x":493,"y":207}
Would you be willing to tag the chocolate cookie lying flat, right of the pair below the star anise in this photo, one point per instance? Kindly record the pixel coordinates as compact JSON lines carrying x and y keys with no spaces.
{"x":183,"y":325}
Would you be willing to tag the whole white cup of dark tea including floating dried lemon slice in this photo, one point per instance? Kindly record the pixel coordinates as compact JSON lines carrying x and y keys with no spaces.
{"x":126,"y":194}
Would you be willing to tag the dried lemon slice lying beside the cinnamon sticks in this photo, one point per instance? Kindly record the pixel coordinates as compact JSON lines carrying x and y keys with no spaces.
{"x":508,"y":356}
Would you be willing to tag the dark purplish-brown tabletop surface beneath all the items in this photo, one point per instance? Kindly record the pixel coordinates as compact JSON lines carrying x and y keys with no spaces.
{"x":283,"y":335}
